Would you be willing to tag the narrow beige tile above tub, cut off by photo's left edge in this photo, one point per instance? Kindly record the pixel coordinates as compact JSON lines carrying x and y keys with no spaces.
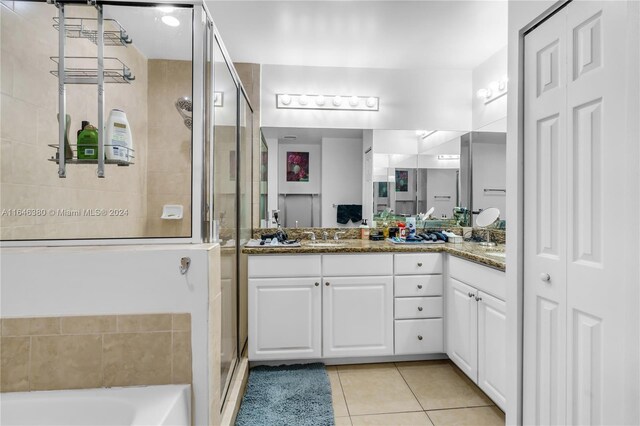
{"x":14,"y":364}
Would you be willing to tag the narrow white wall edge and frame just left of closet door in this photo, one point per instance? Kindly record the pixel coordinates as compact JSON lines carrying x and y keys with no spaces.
{"x":521,"y":14}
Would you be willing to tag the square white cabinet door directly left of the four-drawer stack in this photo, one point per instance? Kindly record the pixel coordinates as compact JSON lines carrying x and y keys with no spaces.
{"x":357,"y":316}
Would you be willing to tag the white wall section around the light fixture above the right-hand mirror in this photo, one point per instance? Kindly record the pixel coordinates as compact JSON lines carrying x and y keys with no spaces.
{"x":492,"y":116}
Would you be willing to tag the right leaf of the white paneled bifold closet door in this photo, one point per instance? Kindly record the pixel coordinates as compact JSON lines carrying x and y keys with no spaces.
{"x":597,"y":331}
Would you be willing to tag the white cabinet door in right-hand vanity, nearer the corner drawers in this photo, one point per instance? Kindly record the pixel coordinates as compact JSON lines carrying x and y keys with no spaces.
{"x":462,"y":326}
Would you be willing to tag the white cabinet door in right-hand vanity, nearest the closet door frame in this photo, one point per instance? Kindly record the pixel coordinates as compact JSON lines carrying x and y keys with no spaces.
{"x":492,"y":347}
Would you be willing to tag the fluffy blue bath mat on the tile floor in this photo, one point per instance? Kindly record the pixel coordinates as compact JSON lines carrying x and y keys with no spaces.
{"x":296,"y":395}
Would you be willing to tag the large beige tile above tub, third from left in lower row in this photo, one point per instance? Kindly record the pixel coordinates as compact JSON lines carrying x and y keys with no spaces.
{"x":137,"y":359}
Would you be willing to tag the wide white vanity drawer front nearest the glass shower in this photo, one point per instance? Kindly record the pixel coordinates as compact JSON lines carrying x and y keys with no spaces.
{"x":277,"y":266}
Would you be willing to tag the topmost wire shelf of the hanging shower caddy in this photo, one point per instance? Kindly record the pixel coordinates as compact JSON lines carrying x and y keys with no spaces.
{"x":114,"y":33}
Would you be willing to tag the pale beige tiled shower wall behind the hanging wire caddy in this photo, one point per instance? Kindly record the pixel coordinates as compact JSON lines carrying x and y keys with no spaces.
{"x":29,"y":108}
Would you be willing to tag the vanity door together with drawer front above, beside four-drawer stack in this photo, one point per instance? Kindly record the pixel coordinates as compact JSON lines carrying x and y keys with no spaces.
{"x":357,"y":305}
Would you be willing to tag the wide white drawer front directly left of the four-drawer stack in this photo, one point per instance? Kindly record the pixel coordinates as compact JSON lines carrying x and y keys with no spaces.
{"x":348,"y":265}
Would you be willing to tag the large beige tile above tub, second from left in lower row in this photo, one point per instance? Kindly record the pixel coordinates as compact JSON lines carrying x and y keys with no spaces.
{"x":66,"y":362}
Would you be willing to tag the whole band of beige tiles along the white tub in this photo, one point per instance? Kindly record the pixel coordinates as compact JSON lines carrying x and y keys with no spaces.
{"x":52,"y":353}
